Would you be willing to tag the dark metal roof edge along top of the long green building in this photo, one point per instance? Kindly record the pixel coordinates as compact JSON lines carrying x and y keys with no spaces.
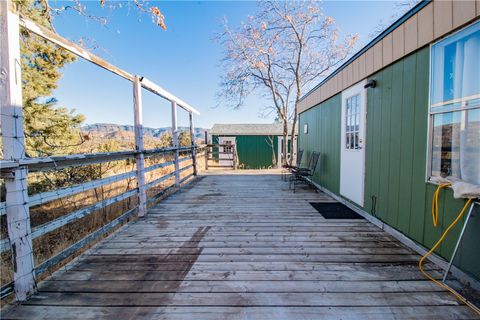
{"x":422,"y":4}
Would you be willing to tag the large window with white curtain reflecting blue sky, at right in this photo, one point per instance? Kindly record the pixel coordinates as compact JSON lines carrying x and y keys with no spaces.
{"x":455,"y":106}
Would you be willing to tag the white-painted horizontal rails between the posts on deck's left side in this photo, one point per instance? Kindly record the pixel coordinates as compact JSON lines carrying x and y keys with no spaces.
{"x":48,"y":196}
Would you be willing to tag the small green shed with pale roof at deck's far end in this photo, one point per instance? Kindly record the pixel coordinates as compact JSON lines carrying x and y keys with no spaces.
{"x":257,"y":145}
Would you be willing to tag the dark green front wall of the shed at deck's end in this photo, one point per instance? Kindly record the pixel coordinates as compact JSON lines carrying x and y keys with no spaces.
{"x":255,"y":152}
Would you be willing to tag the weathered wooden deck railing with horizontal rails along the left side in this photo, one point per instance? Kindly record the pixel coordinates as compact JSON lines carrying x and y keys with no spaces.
{"x":169,"y":180}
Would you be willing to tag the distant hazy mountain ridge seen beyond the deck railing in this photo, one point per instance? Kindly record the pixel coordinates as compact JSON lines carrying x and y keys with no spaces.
{"x":111,"y":129}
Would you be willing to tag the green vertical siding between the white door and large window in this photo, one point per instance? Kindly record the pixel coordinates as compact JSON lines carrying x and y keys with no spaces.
{"x":396,"y":150}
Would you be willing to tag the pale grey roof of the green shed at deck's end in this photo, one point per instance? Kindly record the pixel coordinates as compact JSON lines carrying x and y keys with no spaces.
{"x":249,"y":129}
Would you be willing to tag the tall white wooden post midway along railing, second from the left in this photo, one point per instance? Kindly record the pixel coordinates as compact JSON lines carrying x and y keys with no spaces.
{"x":139,"y":148}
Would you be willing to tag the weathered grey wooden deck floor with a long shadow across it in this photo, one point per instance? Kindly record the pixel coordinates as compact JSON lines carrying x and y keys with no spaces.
{"x":240,"y":245}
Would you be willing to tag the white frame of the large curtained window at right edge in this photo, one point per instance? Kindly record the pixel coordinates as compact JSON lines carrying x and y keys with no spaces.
{"x":430,"y":114}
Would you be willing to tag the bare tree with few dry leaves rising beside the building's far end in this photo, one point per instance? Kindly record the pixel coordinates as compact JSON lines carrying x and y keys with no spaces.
{"x":279,"y":52}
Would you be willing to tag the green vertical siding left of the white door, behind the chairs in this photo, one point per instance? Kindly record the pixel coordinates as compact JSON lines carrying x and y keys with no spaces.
{"x":323,"y":136}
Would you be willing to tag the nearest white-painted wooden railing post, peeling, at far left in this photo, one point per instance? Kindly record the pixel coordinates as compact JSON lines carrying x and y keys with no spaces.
{"x":18,"y":215}
